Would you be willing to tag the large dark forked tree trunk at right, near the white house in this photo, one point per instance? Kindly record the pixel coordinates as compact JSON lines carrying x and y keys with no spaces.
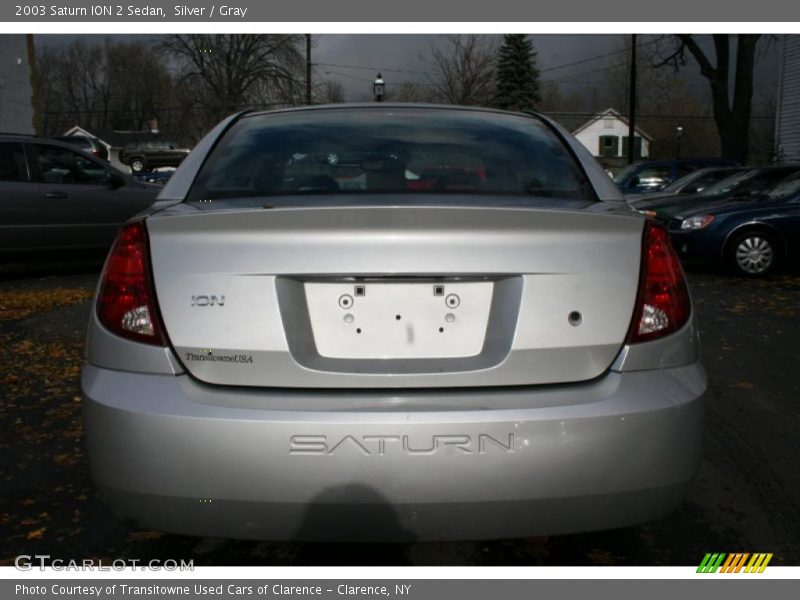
{"x":732,"y":101}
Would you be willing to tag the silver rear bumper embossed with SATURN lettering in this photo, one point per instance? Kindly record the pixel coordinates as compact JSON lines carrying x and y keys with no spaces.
{"x":172,"y":454}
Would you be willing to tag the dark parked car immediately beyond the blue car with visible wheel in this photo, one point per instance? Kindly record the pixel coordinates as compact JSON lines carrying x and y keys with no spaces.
{"x":753,"y":181}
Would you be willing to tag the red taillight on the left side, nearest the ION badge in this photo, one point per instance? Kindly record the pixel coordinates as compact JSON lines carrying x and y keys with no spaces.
{"x":126,"y":303}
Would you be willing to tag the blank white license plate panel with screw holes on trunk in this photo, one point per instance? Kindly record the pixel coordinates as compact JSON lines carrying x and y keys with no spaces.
{"x":399,"y":320}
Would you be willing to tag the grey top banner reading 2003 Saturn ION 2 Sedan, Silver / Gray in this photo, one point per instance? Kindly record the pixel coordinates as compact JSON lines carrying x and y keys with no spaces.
{"x":252,"y":11}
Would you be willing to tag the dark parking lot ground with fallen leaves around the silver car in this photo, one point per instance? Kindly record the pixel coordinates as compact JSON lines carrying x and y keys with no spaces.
{"x":745,"y":497}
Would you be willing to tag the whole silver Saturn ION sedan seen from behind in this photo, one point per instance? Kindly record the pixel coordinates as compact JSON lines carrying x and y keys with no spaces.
{"x":391,"y":322}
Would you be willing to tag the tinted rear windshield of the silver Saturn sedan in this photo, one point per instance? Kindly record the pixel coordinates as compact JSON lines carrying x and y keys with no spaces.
{"x":365,"y":151}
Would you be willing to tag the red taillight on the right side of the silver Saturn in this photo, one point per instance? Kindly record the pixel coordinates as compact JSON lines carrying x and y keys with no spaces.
{"x":662,"y":306}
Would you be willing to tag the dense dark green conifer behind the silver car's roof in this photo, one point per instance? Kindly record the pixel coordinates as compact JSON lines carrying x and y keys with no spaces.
{"x":518,"y":85}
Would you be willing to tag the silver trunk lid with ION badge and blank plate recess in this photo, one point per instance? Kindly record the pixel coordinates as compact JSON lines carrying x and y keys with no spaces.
{"x":395,"y":296}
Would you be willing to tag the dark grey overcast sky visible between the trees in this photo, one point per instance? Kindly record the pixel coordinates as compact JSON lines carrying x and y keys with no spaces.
{"x":404,"y":58}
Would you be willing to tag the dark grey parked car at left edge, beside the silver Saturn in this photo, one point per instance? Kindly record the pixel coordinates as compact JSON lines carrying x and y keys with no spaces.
{"x":57,"y":197}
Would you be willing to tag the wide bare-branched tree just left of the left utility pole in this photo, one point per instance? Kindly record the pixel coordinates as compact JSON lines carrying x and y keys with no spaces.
{"x":233,"y":71}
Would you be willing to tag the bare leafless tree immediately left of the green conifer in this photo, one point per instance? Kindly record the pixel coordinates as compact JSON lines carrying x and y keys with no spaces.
{"x":463,"y":70}
